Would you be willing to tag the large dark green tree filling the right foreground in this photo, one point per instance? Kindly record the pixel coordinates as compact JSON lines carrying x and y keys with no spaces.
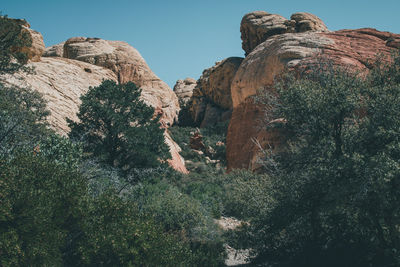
{"x":333,"y":197}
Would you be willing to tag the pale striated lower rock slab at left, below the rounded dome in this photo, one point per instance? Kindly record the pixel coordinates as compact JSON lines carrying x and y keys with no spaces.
{"x":62,"y":81}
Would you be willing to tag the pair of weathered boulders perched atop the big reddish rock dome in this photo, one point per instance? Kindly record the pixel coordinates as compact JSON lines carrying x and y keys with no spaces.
{"x":258,"y":26}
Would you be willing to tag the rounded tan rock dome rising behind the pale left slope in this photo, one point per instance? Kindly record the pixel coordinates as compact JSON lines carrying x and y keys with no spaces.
{"x":127,"y":63}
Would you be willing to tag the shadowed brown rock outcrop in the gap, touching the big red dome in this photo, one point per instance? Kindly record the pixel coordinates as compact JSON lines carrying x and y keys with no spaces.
{"x":211,"y":101}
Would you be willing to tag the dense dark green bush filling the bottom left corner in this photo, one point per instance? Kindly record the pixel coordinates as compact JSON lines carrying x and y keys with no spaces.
{"x":40,"y":202}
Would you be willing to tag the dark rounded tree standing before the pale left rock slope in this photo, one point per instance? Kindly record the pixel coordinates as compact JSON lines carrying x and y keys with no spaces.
{"x":119,"y":129}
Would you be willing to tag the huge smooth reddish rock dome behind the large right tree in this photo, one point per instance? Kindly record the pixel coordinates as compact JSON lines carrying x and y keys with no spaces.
{"x":356,"y":49}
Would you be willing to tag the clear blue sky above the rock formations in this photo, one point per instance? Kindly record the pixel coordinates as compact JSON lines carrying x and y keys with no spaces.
{"x":180,"y":38}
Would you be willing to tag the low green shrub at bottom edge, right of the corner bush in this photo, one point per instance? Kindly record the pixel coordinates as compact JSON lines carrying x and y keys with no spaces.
{"x":115,"y":234}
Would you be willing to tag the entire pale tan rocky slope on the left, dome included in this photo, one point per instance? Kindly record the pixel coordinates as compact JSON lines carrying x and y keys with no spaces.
{"x":69,"y":68}
